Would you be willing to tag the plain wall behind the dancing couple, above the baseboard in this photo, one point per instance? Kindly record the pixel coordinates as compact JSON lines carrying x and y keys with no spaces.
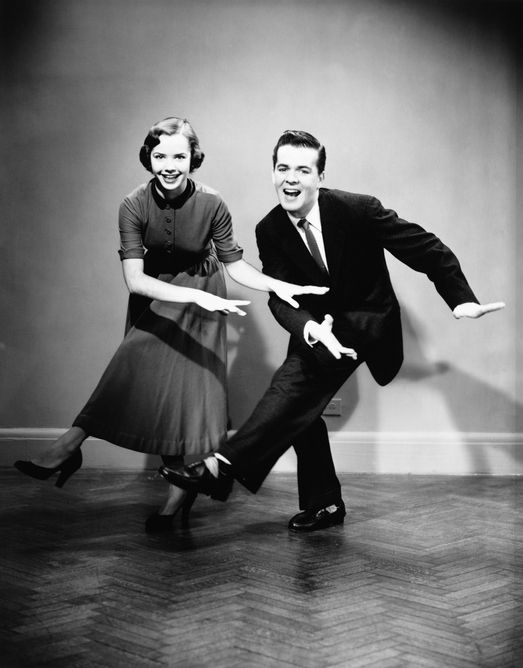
{"x":416,"y":102}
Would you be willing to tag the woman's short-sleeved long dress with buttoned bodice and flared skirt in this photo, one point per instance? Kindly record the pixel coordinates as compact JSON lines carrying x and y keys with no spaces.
{"x":164,"y":391}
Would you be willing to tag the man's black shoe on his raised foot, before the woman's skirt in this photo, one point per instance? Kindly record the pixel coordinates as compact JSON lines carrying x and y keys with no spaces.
{"x":197,"y":477}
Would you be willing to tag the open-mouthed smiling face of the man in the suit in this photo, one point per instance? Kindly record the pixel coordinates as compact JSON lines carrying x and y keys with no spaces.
{"x":296,"y":179}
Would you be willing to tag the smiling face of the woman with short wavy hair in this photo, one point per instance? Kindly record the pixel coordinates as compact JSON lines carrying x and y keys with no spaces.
{"x":171,"y":162}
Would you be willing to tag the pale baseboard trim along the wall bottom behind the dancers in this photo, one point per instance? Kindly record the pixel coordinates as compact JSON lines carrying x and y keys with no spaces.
{"x":445,"y":453}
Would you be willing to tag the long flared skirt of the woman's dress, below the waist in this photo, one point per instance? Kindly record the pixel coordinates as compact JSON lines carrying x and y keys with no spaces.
{"x":164,"y":391}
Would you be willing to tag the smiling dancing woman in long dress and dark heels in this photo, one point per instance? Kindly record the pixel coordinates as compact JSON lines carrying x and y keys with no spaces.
{"x":164,"y":391}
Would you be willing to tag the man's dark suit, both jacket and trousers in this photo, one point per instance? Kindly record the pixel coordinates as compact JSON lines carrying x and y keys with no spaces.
{"x":356,"y":231}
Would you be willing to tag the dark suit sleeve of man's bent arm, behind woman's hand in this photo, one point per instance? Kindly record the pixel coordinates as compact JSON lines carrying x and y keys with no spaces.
{"x":274,"y":264}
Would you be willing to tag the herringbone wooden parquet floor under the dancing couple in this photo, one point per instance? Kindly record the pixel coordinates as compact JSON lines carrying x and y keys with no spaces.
{"x":422,"y":574}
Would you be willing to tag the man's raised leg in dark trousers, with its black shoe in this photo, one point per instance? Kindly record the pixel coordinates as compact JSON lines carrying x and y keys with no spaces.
{"x":296,"y":398}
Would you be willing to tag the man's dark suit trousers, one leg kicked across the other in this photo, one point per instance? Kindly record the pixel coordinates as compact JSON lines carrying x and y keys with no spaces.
{"x":289,"y":413}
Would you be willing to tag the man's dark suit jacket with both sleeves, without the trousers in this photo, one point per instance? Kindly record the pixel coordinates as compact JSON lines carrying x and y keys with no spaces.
{"x":356,"y":231}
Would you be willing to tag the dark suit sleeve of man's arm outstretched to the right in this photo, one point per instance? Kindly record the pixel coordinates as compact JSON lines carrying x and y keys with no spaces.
{"x":421,"y":251}
